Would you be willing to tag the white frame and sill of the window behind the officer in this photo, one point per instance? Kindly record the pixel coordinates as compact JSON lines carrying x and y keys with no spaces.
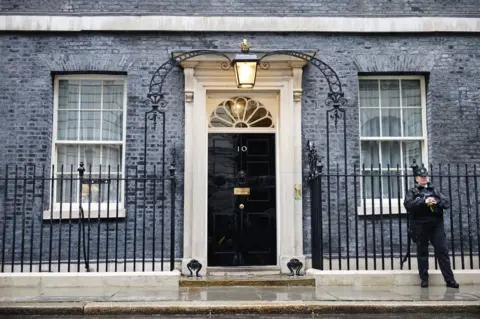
{"x":375,"y":206}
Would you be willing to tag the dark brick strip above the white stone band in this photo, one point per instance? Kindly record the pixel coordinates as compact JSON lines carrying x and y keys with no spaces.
{"x":248,"y":7}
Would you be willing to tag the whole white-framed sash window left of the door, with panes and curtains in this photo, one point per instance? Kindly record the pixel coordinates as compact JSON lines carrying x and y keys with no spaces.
{"x":89,"y":124}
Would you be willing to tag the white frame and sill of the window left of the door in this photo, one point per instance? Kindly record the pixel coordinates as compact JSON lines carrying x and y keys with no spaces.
{"x":94,"y":211}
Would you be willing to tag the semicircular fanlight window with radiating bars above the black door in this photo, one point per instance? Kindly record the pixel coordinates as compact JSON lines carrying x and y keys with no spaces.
{"x":241,"y":112}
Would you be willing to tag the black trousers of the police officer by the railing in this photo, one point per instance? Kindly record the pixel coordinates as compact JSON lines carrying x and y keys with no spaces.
{"x":432,"y":231}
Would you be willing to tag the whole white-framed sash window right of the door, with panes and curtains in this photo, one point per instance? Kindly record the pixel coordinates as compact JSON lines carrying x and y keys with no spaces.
{"x":393,"y":132}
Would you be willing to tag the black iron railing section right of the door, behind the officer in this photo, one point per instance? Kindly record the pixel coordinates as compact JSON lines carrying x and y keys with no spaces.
{"x":359,"y":221}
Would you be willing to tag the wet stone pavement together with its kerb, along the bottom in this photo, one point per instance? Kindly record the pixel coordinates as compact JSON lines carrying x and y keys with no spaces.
{"x":296,"y":301}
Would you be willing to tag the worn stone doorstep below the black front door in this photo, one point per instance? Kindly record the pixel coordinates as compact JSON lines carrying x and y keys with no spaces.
{"x":256,"y":280}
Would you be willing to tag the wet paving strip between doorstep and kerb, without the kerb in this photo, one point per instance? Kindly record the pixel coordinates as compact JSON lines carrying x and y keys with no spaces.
{"x":347,"y":293}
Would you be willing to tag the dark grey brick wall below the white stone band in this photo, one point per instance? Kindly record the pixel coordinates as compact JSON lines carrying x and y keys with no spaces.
{"x":451,"y":62}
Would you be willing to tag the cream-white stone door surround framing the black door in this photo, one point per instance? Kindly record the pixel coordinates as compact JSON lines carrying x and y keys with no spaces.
{"x":279,"y":89}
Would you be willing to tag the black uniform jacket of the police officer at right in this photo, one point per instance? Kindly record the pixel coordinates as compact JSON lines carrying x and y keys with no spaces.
{"x":415,"y":203}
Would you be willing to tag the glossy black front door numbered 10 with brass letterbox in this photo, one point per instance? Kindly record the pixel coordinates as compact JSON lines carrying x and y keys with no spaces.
{"x":241,"y":199}
